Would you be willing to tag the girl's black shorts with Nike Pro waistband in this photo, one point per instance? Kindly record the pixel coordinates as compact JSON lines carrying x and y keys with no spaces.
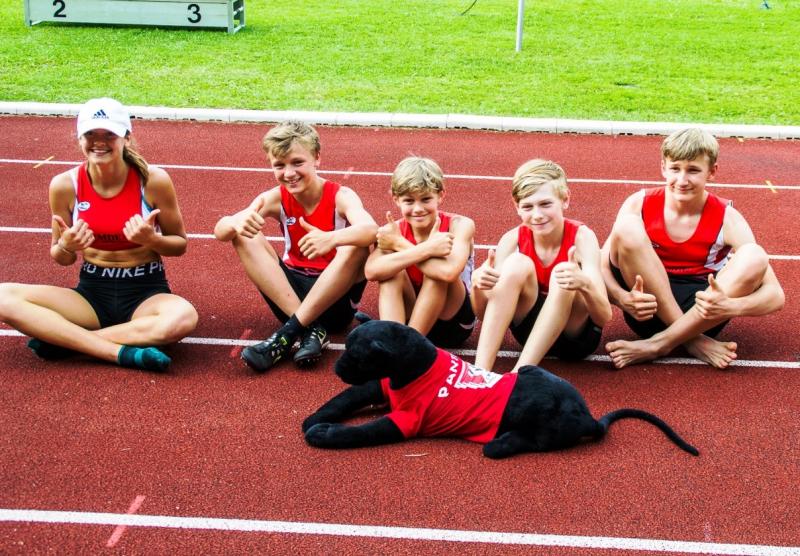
{"x":115,"y":293}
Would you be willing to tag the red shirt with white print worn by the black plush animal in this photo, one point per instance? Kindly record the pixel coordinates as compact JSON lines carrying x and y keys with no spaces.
{"x":452,"y":398}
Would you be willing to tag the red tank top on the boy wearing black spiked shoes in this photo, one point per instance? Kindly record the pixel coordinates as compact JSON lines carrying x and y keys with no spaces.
{"x":325,"y":217}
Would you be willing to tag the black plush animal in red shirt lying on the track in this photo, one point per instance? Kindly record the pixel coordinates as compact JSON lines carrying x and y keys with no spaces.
{"x":434,"y":393}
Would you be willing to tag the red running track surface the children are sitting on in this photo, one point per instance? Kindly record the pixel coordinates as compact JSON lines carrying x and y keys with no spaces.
{"x":212,"y":440}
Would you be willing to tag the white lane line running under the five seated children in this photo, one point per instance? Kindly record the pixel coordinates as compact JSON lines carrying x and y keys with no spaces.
{"x":755,"y":363}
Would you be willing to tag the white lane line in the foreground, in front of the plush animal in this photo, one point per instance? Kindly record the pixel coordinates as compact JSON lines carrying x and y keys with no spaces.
{"x":384,"y":532}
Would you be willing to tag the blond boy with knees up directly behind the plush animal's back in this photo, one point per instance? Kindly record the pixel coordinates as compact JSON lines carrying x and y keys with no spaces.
{"x":544,"y":282}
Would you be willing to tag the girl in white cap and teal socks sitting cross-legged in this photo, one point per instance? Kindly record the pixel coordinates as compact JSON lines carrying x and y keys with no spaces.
{"x":121,"y":215}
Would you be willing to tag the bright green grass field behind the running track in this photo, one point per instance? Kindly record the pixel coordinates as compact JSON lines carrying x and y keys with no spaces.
{"x":653,"y":60}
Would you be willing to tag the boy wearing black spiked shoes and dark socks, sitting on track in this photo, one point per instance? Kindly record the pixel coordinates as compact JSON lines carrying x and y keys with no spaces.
{"x":317,"y":283}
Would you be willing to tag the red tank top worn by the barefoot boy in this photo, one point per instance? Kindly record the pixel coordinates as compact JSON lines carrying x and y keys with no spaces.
{"x":703,"y":253}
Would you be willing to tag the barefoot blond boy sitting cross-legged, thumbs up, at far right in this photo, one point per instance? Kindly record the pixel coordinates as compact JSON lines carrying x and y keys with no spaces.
{"x":680,"y":261}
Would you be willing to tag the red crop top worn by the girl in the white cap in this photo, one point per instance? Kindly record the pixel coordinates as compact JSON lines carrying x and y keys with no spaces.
{"x":106,"y":217}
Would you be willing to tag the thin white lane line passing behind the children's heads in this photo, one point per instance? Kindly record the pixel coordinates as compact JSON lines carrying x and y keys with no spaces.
{"x":388,"y":174}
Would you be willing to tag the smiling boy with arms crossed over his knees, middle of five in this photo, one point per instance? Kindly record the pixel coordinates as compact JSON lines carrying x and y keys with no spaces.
{"x":424,"y":261}
